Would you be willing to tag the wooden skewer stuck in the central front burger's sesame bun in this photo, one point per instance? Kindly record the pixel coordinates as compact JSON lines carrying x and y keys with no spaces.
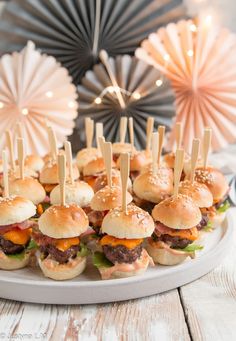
{"x":124,"y":172}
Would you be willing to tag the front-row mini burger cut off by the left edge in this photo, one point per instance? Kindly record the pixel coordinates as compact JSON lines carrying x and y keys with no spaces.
{"x":15,"y":232}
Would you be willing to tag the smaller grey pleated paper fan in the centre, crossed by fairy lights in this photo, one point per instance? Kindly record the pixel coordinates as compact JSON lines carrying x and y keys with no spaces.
{"x":139,"y":91}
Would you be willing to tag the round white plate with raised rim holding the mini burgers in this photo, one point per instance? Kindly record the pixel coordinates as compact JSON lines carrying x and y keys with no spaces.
{"x":29,"y":285}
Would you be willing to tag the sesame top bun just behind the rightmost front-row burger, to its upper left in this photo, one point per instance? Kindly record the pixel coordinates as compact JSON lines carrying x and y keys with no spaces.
{"x":154,"y":187}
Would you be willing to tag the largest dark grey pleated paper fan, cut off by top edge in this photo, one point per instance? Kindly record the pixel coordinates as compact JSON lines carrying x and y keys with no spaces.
{"x":74,"y":31}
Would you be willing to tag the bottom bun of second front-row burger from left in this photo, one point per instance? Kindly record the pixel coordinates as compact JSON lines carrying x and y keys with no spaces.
{"x":61,"y":272}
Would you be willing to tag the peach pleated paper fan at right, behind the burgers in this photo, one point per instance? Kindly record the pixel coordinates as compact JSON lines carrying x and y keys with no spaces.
{"x":199,"y":59}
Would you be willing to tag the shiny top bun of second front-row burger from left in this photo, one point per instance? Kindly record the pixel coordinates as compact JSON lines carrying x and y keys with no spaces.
{"x":63,"y":221}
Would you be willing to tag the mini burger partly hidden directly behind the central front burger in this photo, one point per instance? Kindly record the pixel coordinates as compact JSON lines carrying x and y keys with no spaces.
{"x":103,"y":201}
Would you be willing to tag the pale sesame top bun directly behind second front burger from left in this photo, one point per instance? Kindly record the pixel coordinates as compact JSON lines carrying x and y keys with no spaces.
{"x":79,"y":193}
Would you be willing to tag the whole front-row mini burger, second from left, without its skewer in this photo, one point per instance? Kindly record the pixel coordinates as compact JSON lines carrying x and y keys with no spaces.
{"x":60,"y":254}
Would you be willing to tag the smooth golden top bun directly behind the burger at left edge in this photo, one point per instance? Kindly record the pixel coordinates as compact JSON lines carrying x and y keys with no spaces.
{"x":28,"y":188}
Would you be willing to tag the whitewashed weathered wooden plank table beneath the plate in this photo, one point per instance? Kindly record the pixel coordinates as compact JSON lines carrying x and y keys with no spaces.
{"x":202,"y":310}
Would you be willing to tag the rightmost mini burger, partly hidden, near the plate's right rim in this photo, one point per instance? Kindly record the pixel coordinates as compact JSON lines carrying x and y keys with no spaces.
{"x":218,"y":186}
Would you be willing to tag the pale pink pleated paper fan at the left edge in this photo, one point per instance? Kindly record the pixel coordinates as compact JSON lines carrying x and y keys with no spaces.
{"x":34,"y":88}
